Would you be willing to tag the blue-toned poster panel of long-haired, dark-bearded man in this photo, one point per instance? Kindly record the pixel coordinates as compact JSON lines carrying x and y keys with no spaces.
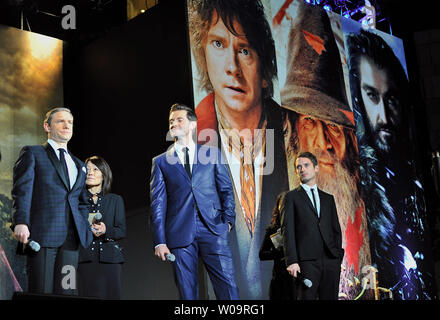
{"x":391,"y":190}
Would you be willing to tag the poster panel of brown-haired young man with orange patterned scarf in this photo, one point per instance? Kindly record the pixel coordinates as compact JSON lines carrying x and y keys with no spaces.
{"x":234,"y":88}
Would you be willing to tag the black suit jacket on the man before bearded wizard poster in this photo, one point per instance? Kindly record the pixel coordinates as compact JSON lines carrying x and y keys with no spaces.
{"x":304,"y":234}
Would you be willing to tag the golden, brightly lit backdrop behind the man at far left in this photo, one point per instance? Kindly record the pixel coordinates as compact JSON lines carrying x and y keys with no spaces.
{"x":30,"y":84}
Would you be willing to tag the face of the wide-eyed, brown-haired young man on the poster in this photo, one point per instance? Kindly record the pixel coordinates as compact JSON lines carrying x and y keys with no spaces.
{"x":233,"y":68}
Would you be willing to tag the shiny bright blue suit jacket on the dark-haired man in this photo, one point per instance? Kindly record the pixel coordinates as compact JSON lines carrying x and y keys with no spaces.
{"x":175,"y":196}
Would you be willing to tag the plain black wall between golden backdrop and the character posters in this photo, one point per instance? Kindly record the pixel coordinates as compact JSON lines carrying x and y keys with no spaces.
{"x":120,"y":88}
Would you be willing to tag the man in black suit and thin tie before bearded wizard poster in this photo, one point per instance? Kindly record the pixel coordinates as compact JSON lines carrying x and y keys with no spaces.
{"x":312,"y":234}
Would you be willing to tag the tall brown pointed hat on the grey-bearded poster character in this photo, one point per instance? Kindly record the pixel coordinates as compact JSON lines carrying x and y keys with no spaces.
{"x":314,"y":76}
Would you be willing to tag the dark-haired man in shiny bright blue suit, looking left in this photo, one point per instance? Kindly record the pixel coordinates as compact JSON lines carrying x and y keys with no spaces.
{"x":193,"y":209}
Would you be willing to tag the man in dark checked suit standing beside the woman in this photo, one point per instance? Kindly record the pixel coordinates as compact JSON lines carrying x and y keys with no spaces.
{"x":50,"y":206}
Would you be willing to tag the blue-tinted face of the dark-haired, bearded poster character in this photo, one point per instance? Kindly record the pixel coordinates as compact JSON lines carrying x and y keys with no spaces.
{"x":382,"y":106}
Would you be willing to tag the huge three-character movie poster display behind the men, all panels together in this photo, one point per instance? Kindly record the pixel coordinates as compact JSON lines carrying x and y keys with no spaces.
{"x":272,"y":78}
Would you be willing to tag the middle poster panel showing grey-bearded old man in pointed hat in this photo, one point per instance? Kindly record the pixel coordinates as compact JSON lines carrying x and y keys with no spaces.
{"x":313,"y":87}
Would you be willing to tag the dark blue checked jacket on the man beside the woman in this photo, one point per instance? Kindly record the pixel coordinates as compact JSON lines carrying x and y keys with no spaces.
{"x":41,"y":197}
